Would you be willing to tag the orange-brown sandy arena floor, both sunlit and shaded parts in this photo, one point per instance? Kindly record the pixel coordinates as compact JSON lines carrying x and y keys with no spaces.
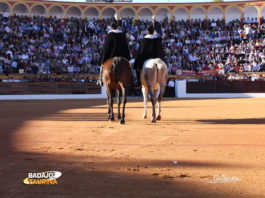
{"x":207,"y":139}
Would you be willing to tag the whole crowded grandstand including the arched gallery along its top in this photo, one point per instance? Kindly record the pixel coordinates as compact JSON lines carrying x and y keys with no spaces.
{"x":199,"y":41}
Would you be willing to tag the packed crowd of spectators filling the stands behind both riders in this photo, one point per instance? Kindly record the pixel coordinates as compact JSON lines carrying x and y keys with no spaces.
{"x":47,"y":46}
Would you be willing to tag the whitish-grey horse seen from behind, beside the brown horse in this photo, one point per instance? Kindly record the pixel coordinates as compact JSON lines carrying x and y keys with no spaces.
{"x":154,"y":79}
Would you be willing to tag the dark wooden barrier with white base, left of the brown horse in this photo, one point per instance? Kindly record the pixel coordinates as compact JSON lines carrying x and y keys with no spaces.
{"x":50,"y":91}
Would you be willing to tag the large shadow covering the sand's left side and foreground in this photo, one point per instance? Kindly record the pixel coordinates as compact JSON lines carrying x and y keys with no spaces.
{"x":85,"y":177}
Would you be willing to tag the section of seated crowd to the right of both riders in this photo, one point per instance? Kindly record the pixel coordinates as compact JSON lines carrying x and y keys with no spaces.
{"x":226,"y":48}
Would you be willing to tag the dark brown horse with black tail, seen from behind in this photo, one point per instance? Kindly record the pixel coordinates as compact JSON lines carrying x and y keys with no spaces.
{"x":117,"y":76}
